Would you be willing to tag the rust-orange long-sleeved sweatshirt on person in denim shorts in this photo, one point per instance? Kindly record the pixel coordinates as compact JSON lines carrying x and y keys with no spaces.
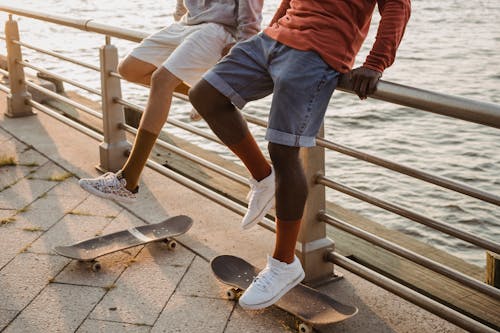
{"x":336,"y":29}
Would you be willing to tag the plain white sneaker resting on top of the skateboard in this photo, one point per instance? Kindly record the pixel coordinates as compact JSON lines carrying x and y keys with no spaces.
{"x":272,"y":283}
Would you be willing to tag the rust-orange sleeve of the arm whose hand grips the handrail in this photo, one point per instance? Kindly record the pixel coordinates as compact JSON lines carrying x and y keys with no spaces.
{"x":394,"y":17}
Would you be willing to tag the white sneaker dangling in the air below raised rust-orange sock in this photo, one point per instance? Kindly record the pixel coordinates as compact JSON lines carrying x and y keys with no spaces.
{"x":260,"y":200}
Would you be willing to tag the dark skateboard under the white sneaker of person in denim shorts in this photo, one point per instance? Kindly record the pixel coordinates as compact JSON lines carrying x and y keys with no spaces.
{"x":309,"y":306}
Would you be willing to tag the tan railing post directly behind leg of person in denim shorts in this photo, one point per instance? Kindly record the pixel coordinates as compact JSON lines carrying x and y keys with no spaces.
{"x":313,"y":244}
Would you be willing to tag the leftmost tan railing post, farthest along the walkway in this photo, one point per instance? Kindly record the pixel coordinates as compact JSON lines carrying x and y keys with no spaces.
{"x":17,"y":105}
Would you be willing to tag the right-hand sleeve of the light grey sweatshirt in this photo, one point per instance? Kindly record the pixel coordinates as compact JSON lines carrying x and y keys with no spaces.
{"x":249,"y":18}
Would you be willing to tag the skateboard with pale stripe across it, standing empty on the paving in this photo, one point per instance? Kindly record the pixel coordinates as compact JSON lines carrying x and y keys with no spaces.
{"x":91,"y":249}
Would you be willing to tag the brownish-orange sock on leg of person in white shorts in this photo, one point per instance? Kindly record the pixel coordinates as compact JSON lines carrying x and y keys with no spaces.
{"x":143,"y":144}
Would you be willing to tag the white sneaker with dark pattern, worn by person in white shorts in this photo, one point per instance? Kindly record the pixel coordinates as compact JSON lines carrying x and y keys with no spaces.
{"x":109,"y":186}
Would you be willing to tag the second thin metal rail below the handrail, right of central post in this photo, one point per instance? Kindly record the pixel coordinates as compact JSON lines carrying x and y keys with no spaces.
{"x":443,"y":227}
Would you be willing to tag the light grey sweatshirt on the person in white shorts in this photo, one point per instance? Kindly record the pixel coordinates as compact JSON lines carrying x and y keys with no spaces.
{"x":242,"y":18}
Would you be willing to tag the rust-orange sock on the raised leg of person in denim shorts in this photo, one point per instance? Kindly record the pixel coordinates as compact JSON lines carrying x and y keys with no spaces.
{"x":250,"y":154}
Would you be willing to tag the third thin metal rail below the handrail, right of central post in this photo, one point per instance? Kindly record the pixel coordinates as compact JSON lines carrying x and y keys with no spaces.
{"x":410,"y":255}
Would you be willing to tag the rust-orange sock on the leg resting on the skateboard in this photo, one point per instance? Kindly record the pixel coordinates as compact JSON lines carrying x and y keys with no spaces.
{"x":286,"y":237}
